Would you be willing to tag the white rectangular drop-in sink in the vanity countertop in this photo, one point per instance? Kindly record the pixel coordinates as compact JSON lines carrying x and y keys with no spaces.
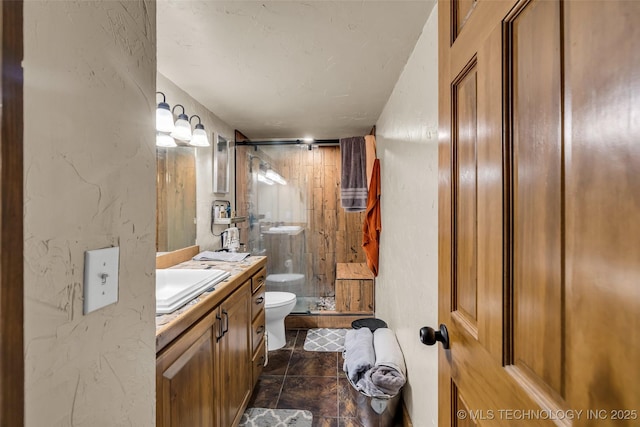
{"x":176,"y":287}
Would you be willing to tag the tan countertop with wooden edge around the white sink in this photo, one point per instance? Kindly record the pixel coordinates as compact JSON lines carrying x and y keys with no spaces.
{"x":171,"y":325}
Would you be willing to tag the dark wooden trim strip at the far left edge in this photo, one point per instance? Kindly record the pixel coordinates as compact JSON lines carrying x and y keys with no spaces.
{"x":11,"y":219}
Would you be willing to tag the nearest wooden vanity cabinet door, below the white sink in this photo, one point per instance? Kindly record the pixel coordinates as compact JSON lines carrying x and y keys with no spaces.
{"x":185,"y":394}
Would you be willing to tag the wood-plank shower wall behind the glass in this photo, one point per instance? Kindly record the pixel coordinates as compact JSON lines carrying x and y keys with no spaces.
{"x":330,"y":235}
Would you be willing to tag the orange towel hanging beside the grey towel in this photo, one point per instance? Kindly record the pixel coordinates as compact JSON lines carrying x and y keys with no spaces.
{"x":372,"y":221}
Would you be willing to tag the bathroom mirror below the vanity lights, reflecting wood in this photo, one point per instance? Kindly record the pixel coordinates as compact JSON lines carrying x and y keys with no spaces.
{"x":175,"y":198}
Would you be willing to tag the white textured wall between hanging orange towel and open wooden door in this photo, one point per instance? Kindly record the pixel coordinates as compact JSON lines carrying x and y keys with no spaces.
{"x":407,"y":286}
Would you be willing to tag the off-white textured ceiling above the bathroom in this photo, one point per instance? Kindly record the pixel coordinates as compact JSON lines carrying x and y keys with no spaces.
{"x":289,"y":69}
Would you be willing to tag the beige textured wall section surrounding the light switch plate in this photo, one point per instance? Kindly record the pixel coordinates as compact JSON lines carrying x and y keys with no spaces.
{"x":89,"y":183}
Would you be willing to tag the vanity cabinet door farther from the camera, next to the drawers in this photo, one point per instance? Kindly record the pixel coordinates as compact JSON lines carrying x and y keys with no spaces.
{"x":235,"y":355}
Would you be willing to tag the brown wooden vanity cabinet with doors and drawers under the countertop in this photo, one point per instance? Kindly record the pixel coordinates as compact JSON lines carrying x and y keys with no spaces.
{"x":205,"y":376}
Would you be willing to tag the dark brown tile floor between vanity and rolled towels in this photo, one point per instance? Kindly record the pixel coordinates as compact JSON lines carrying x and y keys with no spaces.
{"x":310,"y":380}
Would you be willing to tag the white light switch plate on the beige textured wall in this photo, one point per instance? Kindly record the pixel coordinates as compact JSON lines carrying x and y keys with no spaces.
{"x":100,"y":278}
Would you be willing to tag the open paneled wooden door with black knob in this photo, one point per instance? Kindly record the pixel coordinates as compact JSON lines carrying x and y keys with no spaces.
{"x":539,"y":212}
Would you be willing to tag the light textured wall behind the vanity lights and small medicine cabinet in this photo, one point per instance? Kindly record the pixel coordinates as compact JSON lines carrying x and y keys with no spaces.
{"x":204,"y":166}
